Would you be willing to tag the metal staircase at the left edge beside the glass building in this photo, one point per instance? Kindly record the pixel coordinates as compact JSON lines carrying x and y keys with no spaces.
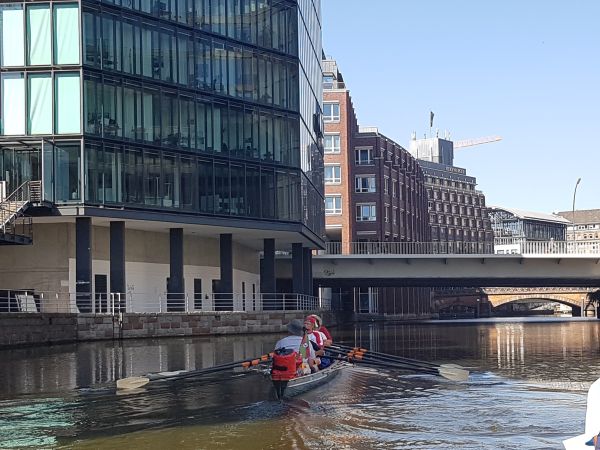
{"x":16,"y":228}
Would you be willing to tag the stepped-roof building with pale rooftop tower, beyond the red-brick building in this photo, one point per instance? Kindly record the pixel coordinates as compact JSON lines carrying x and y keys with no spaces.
{"x":457,"y":211}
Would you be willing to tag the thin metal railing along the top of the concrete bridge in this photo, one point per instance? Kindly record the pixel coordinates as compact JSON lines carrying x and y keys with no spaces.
{"x":500,"y":246}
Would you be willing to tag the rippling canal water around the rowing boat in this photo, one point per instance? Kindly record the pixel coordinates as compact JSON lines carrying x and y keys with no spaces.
{"x":527,"y":390}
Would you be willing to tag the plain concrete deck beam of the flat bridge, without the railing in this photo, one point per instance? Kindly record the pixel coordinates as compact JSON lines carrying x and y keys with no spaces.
{"x":455,"y":270}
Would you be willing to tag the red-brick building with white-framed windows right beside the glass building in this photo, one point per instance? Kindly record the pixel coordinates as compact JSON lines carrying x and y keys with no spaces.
{"x":374,"y":192}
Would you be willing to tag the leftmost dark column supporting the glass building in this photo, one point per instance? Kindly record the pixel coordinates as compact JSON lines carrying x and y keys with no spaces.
{"x":83,"y":264}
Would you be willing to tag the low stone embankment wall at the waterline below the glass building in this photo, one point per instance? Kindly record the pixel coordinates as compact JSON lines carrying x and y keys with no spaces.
{"x":38,"y":329}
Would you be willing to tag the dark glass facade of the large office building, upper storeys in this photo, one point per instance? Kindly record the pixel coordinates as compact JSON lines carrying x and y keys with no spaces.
{"x":202,"y":106}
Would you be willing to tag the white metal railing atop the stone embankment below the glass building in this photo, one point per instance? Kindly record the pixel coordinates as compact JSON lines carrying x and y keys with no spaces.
{"x":19,"y":301}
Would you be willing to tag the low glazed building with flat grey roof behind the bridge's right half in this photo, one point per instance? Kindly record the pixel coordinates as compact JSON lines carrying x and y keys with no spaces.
{"x":512,"y":227}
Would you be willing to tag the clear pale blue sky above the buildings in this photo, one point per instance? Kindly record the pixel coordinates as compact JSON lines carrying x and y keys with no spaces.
{"x":527,"y":70}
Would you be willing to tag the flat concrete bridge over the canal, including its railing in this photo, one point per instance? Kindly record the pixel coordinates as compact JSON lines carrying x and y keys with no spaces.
{"x":435,"y":265}
